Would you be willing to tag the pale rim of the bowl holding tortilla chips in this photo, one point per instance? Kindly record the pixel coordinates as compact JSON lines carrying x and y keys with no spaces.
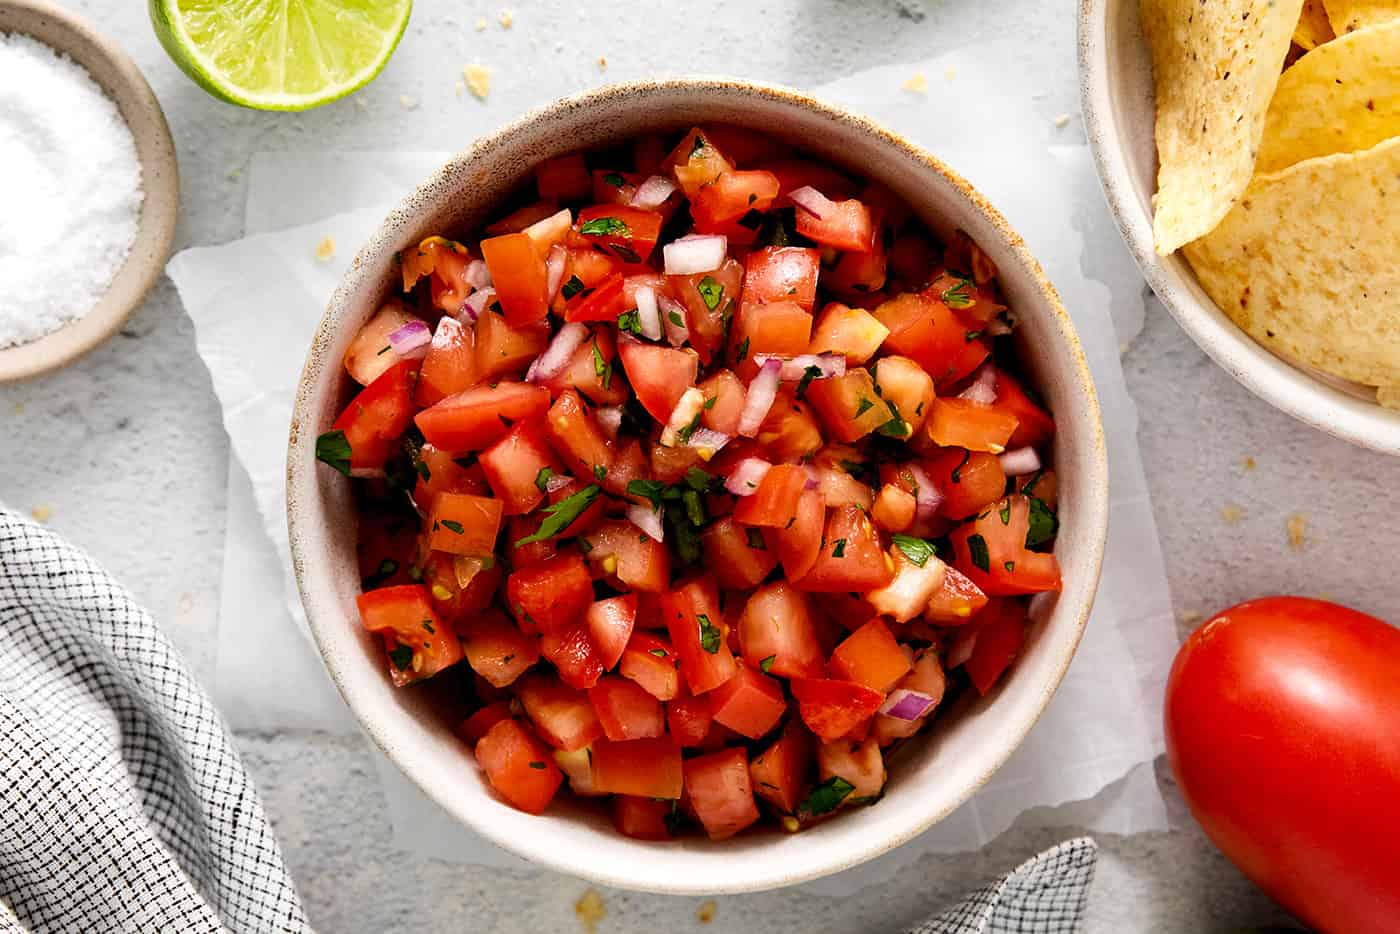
{"x":1290,"y":389}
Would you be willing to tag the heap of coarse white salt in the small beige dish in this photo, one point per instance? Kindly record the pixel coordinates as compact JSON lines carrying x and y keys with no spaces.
{"x":71,"y":191}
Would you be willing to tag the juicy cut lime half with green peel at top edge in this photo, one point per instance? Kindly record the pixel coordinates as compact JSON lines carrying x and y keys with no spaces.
{"x":281,"y":55}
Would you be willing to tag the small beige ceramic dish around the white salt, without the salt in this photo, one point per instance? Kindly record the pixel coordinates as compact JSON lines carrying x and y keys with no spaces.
{"x":117,"y":75}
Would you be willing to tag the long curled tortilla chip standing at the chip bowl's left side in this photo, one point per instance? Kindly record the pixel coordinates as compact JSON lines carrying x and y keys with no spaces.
{"x":1214,"y":67}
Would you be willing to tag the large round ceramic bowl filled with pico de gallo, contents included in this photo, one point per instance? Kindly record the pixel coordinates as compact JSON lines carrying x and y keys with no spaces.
{"x":696,"y":488}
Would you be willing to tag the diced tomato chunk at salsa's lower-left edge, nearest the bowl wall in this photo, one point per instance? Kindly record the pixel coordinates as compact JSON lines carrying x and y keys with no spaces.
{"x":419,"y":642}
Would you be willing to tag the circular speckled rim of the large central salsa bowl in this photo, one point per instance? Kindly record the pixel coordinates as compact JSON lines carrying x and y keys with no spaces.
{"x":1093,"y":510}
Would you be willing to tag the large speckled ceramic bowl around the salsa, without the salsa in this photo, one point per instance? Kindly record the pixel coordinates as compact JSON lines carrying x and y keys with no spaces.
{"x":930,"y":776}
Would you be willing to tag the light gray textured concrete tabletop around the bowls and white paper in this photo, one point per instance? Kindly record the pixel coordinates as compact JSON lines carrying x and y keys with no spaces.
{"x":127,"y":450}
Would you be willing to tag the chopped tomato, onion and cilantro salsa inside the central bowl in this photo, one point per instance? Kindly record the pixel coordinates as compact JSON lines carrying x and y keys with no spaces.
{"x":698,"y":482}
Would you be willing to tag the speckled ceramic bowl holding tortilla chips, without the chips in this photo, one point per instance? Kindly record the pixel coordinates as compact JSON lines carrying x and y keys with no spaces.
{"x":1119,"y":114}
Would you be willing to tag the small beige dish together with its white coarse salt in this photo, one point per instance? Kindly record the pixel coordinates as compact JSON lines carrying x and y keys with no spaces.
{"x":89,"y":188}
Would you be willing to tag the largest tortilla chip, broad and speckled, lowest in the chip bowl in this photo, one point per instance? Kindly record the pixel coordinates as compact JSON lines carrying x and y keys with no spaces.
{"x":1307,"y":264}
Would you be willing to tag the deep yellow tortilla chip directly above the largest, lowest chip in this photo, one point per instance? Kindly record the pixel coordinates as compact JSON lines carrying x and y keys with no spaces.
{"x":1342,"y":97}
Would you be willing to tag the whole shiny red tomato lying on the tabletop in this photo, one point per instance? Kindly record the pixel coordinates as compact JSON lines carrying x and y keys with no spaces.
{"x":1283,"y":727}
